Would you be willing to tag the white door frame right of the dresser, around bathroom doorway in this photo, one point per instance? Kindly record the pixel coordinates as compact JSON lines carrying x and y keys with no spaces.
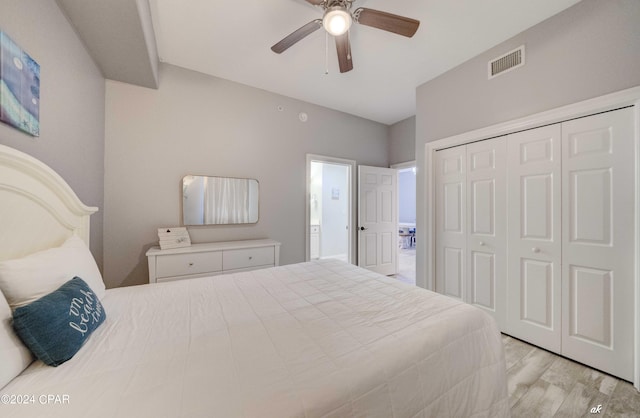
{"x":351,"y":217}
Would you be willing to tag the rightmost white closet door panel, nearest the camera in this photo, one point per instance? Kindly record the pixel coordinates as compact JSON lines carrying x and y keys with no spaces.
{"x":598,"y":241}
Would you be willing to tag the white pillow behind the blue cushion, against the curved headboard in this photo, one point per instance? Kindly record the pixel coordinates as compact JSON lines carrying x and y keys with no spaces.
{"x":27,"y":279}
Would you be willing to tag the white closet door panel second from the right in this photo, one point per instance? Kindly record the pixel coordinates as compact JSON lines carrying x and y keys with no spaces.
{"x":534,"y":251}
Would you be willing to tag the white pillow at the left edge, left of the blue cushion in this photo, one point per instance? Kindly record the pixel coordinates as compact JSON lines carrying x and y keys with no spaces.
{"x":15,"y":355}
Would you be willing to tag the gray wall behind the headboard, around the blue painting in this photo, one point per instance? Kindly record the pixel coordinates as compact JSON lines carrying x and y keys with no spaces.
{"x":72,"y":92}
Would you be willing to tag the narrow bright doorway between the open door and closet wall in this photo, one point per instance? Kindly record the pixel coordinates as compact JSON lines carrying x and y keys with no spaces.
{"x":406,"y":222}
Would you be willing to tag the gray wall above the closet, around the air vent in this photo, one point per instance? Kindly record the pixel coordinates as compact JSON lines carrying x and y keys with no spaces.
{"x":590,"y":49}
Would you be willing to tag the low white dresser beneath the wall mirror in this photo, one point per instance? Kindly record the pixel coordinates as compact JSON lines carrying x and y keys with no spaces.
{"x":209,"y":259}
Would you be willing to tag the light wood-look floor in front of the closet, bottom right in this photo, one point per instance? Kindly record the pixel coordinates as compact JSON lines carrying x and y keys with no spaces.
{"x":542,"y":384}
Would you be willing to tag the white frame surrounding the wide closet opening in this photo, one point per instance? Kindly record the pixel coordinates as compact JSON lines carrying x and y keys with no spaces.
{"x":629,"y":97}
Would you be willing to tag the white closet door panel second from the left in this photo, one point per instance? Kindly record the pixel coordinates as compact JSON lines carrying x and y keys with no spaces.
{"x":486,"y":227}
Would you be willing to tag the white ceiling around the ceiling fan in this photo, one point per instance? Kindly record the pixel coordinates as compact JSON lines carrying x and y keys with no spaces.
{"x":232,"y":40}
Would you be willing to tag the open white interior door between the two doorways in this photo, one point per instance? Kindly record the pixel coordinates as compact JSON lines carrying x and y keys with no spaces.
{"x":377,"y":219}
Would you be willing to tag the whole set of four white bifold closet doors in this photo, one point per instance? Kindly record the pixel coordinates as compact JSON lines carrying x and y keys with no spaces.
{"x":537,"y":228}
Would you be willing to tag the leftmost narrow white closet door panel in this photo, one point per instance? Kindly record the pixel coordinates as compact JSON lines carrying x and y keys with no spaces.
{"x":451,"y":234}
